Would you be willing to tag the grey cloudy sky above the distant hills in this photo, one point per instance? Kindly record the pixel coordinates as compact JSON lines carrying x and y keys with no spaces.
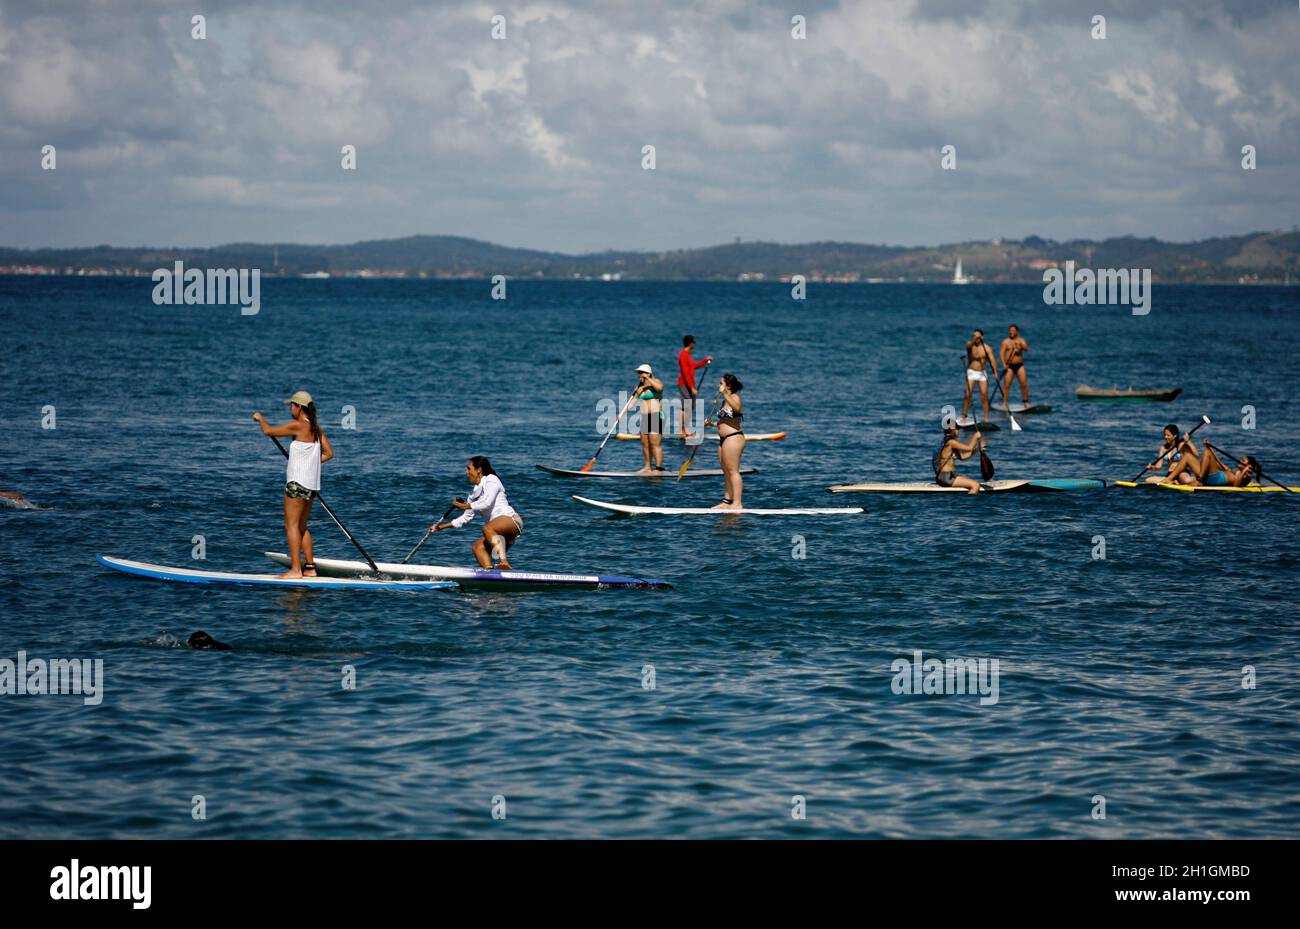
{"x":536,"y":141}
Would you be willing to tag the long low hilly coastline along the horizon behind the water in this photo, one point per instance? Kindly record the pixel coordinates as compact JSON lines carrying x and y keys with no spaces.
{"x":1263,"y":257}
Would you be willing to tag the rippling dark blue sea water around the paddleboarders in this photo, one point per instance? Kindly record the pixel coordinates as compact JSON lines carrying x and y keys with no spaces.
{"x":1119,"y":678}
